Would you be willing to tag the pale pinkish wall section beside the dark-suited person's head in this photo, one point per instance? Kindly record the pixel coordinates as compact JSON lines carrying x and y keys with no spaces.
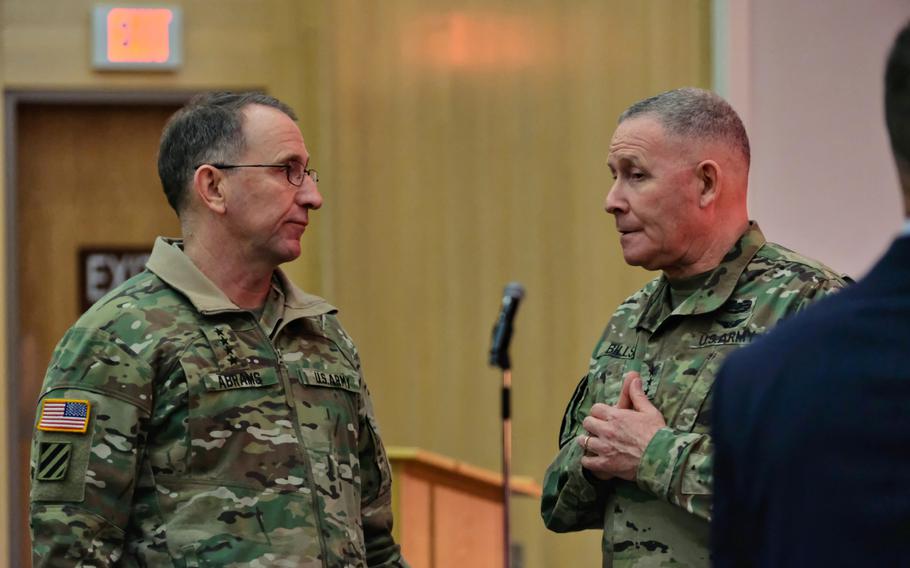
{"x":823,"y":181}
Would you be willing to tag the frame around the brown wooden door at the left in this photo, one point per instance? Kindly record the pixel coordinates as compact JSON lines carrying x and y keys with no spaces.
{"x":12,"y":98}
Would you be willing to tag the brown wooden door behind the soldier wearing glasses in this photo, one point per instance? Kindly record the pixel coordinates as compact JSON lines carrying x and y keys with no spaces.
{"x":86,"y":177}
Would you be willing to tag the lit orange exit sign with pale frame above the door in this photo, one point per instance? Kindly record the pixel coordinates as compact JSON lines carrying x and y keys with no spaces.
{"x":137,"y":37}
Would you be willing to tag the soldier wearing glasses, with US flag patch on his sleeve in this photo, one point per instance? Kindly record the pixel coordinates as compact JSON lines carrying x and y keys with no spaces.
{"x":207,"y":412}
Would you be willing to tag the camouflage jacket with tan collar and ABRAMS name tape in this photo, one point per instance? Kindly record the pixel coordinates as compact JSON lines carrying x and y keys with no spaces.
{"x":213,"y":439}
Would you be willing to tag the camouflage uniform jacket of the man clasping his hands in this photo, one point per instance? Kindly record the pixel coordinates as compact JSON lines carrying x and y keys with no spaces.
{"x":662,"y":519}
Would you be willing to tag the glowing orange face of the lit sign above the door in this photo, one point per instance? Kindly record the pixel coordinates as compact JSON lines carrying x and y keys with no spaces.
{"x":138,"y":35}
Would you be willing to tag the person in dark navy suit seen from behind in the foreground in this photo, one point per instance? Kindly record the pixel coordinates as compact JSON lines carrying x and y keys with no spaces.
{"x":812,"y":422}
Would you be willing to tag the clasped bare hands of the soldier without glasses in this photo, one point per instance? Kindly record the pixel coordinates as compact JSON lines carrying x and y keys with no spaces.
{"x":618,"y":435}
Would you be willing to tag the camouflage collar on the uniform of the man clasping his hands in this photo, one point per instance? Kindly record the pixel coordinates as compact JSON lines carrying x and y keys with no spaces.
{"x":717,"y":289}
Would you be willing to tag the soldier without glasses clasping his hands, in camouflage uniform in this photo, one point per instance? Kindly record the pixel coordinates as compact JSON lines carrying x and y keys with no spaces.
{"x":635,"y":453}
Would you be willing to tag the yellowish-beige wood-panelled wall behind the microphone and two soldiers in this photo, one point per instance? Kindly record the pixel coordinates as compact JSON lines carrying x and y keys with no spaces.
{"x":462,"y":145}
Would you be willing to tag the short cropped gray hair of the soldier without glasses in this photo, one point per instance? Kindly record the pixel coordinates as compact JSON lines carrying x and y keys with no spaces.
{"x":696,"y":114}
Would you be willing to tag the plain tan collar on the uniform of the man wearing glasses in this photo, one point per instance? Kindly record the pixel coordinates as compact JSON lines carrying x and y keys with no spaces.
{"x":170,"y":263}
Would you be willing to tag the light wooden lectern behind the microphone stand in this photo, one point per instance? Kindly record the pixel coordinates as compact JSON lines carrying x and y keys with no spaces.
{"x":449,"y":513}
